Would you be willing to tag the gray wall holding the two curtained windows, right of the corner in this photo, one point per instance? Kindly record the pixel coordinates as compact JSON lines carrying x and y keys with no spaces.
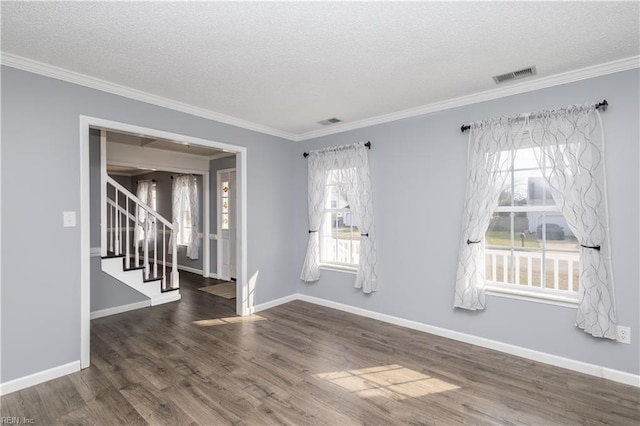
{"x":418,"y":172}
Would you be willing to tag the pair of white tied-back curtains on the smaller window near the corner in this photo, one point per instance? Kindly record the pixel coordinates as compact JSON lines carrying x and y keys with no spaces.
{"x":351,"y":164}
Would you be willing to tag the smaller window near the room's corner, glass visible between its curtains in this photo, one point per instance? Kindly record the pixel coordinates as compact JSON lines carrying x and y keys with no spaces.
{"x":339,"y":233}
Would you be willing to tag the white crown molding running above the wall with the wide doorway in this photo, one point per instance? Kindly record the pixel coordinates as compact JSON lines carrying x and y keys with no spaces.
{"x":47,"y":70}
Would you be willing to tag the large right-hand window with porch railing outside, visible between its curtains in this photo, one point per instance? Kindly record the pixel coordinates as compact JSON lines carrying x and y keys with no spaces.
{"x":529,"y":245}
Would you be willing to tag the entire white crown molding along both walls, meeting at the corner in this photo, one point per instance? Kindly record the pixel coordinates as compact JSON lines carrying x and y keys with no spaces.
{"x":47,"y":70}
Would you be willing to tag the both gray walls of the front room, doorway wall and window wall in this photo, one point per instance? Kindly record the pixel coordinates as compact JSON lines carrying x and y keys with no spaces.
{"x":418,"y":171}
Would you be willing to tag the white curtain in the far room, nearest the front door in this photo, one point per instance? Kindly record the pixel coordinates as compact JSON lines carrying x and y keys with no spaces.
{"x":186,"y":214}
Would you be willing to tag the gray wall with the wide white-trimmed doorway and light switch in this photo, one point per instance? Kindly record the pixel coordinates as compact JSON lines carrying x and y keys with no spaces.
{"x":40,"y":313}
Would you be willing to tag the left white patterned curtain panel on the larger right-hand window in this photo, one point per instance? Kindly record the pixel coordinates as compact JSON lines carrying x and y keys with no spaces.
{"x":488,"y":163}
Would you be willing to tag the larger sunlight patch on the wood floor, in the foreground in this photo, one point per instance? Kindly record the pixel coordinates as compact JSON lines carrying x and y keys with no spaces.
{"x":389,"y":381}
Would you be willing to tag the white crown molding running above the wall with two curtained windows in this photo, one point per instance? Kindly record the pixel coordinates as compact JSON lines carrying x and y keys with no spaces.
{"x":514,"y":89}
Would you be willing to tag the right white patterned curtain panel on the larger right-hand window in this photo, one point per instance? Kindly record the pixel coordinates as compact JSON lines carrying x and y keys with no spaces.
{"x":570,"y":145}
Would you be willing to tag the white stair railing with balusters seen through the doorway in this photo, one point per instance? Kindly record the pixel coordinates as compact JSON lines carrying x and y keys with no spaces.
{"x":124,"y":212}
